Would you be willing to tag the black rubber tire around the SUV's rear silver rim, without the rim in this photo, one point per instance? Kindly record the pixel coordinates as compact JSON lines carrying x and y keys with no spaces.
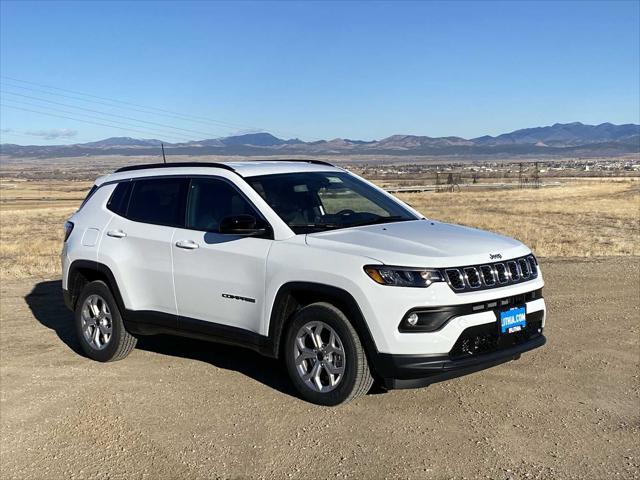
{"x":120,"y":342}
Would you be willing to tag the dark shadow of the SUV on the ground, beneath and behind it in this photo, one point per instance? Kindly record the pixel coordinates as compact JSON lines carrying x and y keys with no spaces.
{"x":47,"y":305}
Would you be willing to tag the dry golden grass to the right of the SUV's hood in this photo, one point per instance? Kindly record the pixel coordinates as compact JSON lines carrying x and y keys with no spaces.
{"x":578,"y":220}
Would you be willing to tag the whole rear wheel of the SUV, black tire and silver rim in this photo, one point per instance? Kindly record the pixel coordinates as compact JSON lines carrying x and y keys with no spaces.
{"x":99,"y":325}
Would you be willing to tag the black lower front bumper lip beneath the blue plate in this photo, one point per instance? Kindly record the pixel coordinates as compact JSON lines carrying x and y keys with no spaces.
{"x":413,"y":371}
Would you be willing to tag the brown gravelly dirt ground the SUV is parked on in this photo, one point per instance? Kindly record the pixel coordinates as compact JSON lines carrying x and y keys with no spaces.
{"x":185,"y":409}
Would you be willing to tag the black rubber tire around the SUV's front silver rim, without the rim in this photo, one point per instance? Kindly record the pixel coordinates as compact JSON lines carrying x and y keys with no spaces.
{"x":356,"y":379}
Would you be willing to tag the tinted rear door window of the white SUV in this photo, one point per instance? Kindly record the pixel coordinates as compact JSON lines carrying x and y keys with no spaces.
{"x":159,"y":201}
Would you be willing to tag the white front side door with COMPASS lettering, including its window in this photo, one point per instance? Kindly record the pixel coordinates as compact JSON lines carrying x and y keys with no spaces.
{"x":219,"y":279}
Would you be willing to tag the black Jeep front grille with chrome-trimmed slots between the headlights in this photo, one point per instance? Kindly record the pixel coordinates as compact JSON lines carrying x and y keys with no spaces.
{"x":479,"y":277}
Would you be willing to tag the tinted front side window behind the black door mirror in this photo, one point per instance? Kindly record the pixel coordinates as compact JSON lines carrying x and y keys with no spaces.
{"x":211,"y":200}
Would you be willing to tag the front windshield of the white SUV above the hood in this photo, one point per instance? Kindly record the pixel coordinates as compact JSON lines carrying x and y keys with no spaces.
{"x":317,"y":201}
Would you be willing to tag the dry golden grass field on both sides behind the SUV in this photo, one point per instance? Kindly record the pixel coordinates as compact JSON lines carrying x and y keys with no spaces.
{"x":584,"y":219}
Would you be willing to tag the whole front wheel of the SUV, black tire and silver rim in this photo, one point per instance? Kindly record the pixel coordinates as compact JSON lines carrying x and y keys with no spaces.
{"x":324,"y":356}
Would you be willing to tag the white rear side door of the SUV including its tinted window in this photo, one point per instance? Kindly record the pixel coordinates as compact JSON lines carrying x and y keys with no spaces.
{"x":137,"y":242}
